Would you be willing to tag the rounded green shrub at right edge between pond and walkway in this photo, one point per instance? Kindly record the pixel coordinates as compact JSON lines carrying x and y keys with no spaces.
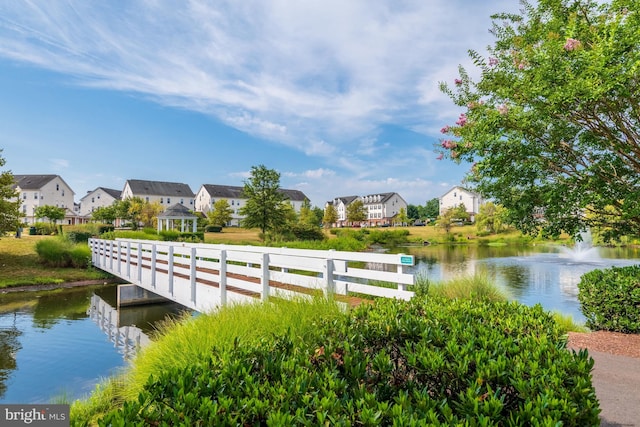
{"x":610,"y":299}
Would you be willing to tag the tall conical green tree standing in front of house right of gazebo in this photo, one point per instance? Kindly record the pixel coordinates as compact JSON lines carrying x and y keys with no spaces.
{"x":264,"y":208}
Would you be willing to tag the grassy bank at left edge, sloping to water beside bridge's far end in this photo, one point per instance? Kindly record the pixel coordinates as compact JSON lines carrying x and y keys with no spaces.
{"x":19,"y":265}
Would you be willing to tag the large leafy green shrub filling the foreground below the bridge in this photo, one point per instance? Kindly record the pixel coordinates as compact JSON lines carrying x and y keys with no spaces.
{"x":434,"y":362}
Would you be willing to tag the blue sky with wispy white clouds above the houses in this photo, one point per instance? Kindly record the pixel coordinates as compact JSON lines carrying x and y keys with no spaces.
{"x":340,"y":97}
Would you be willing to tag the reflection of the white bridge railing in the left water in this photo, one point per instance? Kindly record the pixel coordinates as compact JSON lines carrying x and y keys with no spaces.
{"x":128,"y":339}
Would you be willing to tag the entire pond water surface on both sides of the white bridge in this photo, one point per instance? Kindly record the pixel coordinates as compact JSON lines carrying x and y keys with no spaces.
{"x":60,"y":344}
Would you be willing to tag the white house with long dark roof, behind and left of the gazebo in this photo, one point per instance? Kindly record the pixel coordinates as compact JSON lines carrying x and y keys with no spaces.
{"x":165,"y":193}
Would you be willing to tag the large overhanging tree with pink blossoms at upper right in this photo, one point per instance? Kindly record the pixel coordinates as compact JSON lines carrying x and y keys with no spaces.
{"x":553,"y":120}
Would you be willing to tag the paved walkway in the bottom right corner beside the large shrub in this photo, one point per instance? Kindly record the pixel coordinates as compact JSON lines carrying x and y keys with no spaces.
{"x":617,"y":383}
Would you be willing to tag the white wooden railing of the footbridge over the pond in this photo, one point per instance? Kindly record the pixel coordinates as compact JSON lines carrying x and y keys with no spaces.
{"x":205,"y":276}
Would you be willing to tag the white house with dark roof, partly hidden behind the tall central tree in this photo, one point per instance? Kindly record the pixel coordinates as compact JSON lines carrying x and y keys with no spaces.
{"x":208,"y":194}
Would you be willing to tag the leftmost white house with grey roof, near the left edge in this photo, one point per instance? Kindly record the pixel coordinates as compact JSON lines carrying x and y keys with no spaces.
{"x":44,"y":190}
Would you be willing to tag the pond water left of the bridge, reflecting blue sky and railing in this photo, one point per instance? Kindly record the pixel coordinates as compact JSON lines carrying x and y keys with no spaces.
{"x":59,"y":344}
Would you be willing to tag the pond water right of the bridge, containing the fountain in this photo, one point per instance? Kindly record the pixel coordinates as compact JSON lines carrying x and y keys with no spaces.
{"x":545,"y":274}
